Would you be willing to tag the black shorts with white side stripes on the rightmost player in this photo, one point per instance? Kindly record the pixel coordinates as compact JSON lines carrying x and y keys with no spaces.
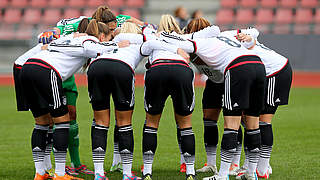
{"x":277,"y":89}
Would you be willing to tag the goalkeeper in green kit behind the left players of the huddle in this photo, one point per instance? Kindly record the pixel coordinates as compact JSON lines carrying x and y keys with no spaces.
{"x":64,"y":27}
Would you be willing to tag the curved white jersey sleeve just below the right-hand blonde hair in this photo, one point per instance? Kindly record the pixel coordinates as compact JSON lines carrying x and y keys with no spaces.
{"x":148,"y":46}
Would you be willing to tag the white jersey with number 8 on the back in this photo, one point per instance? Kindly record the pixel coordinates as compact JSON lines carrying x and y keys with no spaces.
{"x":217,"y":52}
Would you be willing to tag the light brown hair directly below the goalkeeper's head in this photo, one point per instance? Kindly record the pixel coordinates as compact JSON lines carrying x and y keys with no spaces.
{"x":95,"y":28}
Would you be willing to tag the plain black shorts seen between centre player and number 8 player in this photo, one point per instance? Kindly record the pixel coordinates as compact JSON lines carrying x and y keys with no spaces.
{"x":212,"y":95}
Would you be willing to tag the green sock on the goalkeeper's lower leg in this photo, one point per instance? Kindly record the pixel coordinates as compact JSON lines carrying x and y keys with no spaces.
{"x":74,"y":144}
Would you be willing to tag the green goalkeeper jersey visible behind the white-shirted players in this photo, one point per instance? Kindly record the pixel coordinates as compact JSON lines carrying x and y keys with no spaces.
{"x":68,"y":26}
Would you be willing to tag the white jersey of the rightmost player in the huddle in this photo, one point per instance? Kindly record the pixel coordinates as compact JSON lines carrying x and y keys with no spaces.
{"x":272,"y":61}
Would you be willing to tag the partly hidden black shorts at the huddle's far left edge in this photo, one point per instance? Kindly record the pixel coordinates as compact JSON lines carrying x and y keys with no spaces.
{"x":22,"y":104}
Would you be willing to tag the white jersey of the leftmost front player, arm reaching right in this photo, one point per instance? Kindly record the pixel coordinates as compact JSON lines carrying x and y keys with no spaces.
{"x":68,"y":54}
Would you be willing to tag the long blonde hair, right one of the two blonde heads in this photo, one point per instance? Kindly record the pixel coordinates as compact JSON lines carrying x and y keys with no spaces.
{"x":169,"y":24}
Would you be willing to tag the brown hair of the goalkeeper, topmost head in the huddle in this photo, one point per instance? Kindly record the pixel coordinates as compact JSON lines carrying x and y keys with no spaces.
{"x":104,"y":14}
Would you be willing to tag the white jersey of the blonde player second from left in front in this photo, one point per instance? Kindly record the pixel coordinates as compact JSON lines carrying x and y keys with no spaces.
{"x":129,"y":55}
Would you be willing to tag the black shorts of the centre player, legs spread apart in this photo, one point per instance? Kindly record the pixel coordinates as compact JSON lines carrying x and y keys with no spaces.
{"x":163,"y":80}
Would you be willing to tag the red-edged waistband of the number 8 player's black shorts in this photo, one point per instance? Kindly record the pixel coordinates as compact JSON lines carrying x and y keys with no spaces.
{"x":247,"y":59}
